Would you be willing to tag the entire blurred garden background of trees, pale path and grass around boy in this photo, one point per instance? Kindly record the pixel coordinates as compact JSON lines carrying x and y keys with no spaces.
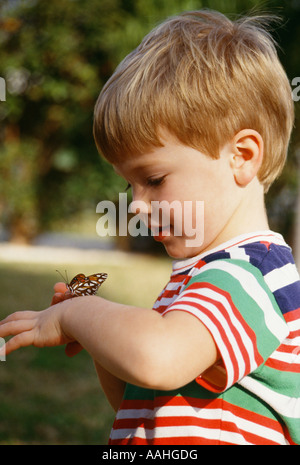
{"x":55,"y":57}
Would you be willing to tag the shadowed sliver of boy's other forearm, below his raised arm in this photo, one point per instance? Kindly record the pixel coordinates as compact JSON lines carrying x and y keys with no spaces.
{"x":112,"y":386}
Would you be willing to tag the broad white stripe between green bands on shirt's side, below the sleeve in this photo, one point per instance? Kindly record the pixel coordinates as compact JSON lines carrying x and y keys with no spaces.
{"x":284,"y":405}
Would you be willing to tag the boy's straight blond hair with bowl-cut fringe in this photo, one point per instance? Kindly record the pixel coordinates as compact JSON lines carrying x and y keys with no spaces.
{"x":202,"y":77}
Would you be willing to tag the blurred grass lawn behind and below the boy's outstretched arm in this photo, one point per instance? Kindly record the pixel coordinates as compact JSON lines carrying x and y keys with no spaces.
{"x":46,"y":397}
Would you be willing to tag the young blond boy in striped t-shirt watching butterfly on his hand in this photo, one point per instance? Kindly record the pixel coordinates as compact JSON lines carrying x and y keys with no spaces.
{"x":201,"y":110}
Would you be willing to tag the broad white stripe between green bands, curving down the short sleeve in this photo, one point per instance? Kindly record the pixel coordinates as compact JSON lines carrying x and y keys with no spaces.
{"x":276,"y":325}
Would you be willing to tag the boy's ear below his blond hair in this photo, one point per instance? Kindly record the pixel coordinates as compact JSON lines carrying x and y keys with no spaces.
{"x":246,"y":156}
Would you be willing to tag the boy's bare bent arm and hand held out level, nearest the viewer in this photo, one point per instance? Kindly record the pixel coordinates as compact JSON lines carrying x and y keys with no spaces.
{"x":134,"y":344}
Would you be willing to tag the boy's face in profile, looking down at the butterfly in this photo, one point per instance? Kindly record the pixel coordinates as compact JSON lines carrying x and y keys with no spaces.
{"x":171,"y":185}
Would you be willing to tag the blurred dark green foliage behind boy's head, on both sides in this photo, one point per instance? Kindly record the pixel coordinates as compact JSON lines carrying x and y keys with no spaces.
{"x":55,"y":57}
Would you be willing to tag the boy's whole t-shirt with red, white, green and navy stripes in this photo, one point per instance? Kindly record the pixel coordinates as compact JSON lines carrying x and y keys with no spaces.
{"x":247,"y":293}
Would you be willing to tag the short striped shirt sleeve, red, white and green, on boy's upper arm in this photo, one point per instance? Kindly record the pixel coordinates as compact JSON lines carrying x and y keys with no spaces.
{"x":231,"y":298}
